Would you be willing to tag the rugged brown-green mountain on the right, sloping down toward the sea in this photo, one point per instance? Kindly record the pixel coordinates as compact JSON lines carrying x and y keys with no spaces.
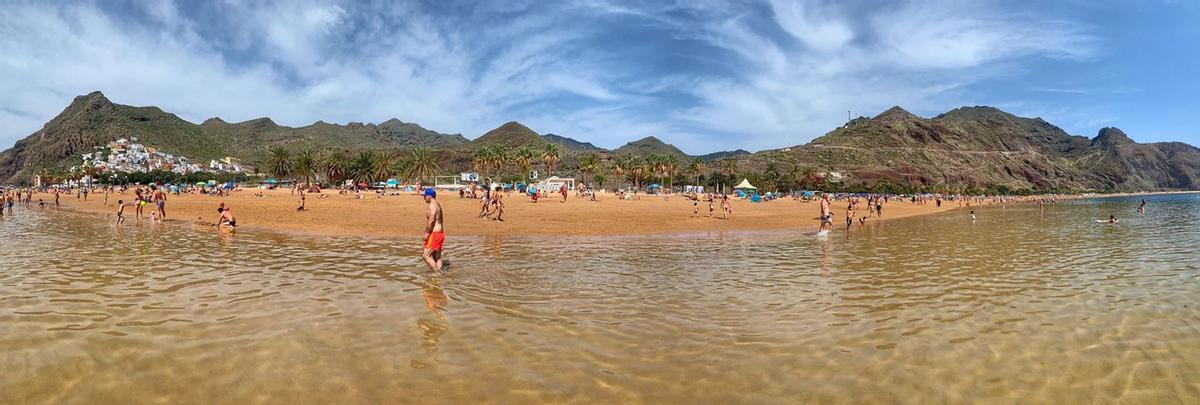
{"x":985,"y":147}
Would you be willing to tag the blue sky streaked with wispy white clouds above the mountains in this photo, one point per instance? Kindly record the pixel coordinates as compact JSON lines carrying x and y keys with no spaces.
{"x":706,"y":76}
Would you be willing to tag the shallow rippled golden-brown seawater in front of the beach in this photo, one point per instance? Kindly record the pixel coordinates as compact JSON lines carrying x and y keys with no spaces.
{"x":1027,"y":305}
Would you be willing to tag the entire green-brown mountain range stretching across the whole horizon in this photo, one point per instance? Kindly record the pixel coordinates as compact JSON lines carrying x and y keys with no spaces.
{"x":971,"y":147}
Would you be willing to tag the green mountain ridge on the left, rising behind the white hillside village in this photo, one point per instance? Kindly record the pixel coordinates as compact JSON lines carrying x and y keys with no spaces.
{"x":94,"y":120}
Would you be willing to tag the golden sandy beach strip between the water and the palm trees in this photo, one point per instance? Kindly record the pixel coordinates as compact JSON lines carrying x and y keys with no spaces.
{"x":404,"y":215}
